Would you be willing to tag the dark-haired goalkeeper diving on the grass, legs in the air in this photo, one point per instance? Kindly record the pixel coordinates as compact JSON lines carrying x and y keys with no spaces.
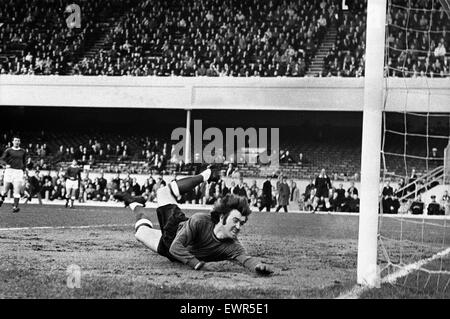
{"x":200,"y":239}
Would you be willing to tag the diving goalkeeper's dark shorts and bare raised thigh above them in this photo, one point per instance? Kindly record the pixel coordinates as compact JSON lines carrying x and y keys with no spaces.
{"x":169,"y":217}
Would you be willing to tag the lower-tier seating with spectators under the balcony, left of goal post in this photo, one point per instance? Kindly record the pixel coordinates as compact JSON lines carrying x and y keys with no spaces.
{"x":139,"y":153}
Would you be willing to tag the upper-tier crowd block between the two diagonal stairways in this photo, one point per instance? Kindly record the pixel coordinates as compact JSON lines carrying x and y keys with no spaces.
{"x":214,"y":38}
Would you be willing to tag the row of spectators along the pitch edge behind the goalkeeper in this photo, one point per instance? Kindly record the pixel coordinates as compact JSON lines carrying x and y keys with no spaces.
{"x":320,"y":195}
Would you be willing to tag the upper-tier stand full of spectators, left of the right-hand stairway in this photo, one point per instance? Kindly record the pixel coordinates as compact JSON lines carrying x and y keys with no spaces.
{"x":196,"y":38}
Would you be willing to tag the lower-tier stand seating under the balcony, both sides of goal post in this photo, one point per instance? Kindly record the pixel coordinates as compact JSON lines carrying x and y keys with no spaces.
{"x":134,"y":153}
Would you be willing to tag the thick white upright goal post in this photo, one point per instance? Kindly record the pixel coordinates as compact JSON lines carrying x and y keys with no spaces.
{"x":367,"y":270}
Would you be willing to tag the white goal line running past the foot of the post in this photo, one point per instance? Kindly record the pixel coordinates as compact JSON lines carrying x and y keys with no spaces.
{"x":357,"y":290}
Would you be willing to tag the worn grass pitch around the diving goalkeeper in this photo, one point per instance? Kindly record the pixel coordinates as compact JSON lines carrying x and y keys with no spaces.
{"x":314,"y":257}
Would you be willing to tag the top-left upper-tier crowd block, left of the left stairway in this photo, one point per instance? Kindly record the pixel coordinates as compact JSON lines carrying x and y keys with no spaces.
{"x":36,"y":35}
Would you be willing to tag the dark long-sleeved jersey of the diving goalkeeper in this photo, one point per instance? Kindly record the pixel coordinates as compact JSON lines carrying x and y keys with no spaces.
{"x":196,"y":241}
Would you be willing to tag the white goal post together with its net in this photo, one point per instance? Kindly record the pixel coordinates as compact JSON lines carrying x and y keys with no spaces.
{"x":409,"y":250}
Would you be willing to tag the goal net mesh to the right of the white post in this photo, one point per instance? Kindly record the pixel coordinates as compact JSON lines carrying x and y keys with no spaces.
{"x":414,"y":241}
